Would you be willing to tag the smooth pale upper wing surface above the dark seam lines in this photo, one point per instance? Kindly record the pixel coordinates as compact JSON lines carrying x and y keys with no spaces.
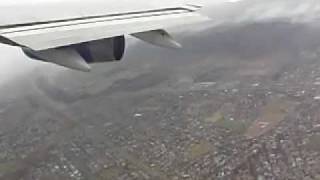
{"x":13,"y":12}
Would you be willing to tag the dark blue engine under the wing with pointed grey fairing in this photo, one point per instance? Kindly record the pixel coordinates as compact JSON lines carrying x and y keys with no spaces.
{"x":78,"y":56}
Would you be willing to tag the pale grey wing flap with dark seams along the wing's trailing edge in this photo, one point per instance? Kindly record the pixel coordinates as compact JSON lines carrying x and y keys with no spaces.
{"x":40,"y":36}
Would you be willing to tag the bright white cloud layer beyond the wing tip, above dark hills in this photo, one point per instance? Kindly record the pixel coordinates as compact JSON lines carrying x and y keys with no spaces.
{"x":246,"y":11}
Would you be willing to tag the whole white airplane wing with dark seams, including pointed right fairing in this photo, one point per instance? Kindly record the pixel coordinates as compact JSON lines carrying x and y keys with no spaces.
{"x":45,"y":26}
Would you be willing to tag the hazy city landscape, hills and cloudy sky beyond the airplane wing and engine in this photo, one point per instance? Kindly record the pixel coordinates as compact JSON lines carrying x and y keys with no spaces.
{"x":240,"y":100}
